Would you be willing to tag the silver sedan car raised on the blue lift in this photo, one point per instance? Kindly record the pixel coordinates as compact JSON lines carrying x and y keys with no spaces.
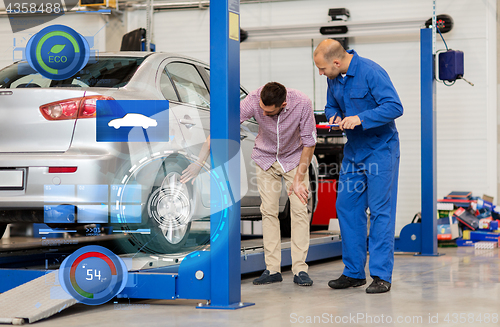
{"x":58,"y":167}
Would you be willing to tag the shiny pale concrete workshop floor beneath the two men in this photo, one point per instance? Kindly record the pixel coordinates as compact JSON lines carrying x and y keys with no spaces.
{"x":460,"y":288}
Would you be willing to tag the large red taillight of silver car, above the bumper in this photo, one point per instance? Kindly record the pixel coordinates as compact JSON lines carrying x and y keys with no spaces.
{"x":72,"y":108}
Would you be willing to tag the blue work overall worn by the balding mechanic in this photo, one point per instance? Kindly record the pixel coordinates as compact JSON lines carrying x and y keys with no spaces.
{"x":369,"y":173}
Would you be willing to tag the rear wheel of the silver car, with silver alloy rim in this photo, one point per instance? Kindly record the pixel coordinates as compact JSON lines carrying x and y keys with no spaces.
{"x":166,"y":212}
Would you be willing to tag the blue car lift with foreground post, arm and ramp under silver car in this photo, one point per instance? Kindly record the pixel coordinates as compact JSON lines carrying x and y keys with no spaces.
{"x":213,"y":275}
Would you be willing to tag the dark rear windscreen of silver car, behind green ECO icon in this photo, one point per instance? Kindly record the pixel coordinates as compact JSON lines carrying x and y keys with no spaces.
{"x":110,"y":72}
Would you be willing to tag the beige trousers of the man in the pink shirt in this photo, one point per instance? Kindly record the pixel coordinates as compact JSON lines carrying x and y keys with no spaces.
{"x":269,"y":183}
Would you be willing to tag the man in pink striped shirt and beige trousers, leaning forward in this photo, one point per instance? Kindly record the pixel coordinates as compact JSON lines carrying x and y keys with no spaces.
{"x":283,"y":149}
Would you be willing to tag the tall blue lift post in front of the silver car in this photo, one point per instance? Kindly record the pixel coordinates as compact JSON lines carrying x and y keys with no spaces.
{"x":225,"y":240}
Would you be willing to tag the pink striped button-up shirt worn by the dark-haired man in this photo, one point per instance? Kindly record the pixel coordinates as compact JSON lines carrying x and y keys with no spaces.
{"x":281,"y":137}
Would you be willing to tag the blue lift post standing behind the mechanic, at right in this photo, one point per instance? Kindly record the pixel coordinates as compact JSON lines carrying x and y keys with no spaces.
{"x":422,"y":237}
